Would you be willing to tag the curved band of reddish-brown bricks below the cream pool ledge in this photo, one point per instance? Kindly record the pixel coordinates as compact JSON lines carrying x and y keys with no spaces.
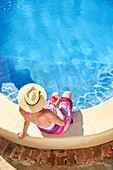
{"x":53,"y":158}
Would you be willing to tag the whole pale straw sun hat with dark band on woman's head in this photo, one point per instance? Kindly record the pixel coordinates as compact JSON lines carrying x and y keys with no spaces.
{"x":32,"y":97}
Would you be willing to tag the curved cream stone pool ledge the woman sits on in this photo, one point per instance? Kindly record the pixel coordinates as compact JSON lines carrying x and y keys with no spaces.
{"x":91,"y":127}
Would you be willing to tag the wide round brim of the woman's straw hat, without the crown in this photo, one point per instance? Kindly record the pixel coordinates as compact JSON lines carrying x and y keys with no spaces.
{"x":39,"y":105}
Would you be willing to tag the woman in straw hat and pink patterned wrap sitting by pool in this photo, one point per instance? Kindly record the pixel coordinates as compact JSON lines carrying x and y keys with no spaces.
{"x":52,"y":117}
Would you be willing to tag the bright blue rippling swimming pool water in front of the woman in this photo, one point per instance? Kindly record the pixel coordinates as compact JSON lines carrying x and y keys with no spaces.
{"x":61,"y":45}
